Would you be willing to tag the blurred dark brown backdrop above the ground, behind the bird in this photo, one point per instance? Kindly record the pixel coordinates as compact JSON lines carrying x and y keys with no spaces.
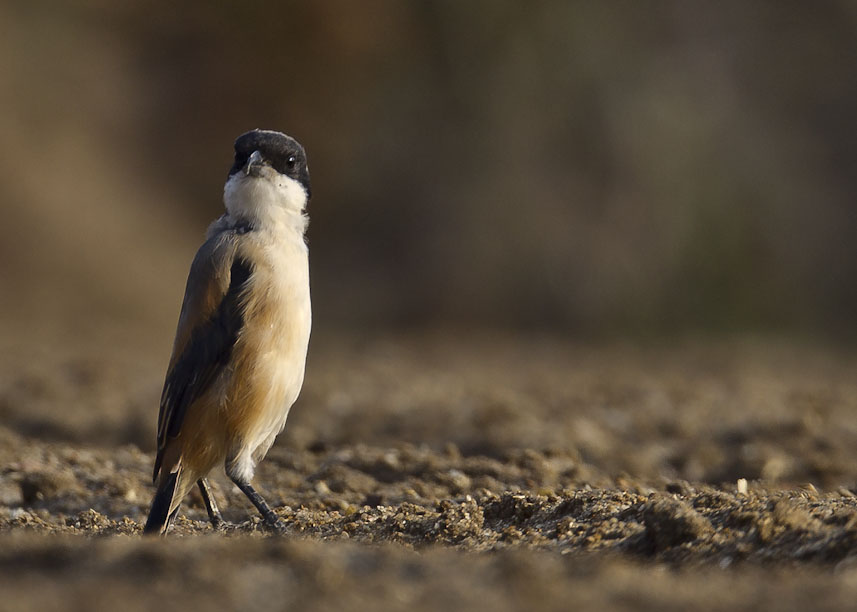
{"x":589,"y":168}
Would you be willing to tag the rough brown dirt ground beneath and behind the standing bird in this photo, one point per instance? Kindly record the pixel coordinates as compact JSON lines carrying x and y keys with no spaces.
{"x":442,"y":471}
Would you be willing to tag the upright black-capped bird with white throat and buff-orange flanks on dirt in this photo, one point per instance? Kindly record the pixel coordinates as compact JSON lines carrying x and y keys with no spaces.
{"x":239,"y":356}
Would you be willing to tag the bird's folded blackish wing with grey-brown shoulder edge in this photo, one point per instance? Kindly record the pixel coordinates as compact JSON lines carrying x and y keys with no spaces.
{"x":208,"y":327}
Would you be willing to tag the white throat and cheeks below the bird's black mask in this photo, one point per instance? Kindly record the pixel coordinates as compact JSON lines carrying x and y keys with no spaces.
{"x":271,"y":201}
